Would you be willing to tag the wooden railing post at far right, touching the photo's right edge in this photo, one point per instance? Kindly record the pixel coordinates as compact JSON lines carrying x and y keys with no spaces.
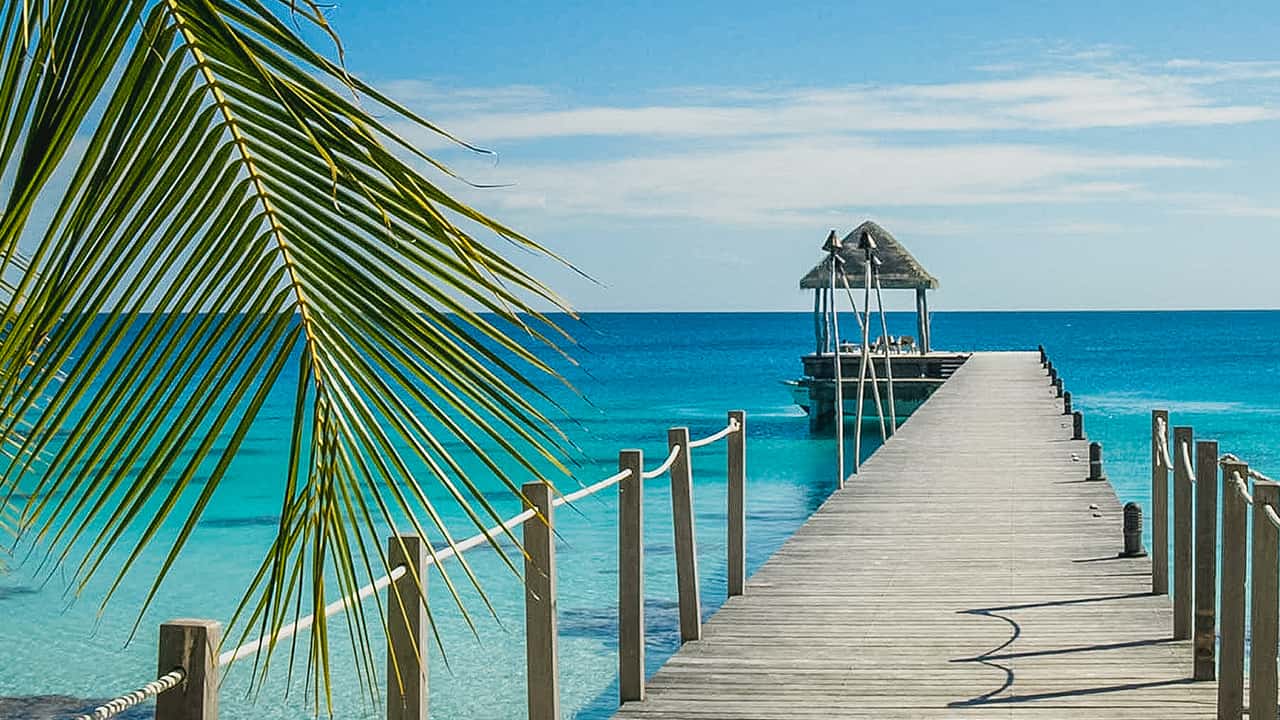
{"x":1264,"y":604}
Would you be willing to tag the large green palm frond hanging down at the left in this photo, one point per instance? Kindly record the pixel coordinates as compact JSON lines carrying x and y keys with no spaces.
{"x":234,"y":217}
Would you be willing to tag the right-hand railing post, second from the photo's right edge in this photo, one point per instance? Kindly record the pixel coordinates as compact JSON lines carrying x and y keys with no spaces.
{"x":1231,"y":678}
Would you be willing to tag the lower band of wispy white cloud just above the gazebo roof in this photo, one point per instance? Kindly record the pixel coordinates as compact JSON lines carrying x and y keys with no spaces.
{"x":781,"y":181}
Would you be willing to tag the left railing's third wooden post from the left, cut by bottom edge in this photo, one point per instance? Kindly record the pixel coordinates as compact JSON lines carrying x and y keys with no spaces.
{"x":542,"y":644}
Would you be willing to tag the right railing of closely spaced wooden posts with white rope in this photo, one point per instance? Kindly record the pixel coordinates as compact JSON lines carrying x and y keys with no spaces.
{"x":1246,"y":580}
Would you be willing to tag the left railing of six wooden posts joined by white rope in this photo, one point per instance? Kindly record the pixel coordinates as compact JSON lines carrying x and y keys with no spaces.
{"x":190,"y":658}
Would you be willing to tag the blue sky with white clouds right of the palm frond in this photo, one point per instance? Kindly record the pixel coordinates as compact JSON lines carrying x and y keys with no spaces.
{"x":693,"y":157}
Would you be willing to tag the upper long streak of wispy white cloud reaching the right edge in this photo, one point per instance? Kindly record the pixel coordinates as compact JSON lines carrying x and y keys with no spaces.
{"x":1177,"y":93}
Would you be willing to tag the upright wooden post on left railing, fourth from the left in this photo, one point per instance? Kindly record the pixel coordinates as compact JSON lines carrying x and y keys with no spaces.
{"x":632,"y":577}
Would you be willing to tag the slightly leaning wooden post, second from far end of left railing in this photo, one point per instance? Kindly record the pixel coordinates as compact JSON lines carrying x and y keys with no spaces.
{"x":685,"y":540}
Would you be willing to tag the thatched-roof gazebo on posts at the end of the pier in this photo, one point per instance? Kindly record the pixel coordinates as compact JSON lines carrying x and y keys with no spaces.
{"x":899,"y":270}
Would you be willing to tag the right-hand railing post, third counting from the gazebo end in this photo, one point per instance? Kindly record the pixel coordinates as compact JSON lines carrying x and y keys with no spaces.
{"x":1206,"y":560}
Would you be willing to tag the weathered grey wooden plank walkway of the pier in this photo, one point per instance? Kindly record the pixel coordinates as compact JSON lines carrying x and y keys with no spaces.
{"x":970,"y":571}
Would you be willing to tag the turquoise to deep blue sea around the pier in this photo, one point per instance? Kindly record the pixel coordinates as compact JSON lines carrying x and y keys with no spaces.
{"x":641,"y":375}
